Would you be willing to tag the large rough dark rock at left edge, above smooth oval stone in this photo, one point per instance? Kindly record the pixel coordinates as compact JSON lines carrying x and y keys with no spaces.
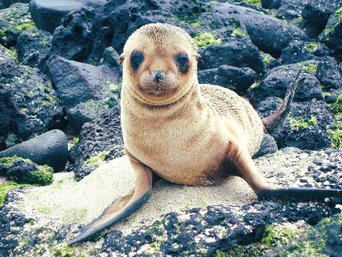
{"x":29,"y":104}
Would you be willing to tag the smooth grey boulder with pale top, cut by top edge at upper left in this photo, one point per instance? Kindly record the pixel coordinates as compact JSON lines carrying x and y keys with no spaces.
{"x":48,"y":15}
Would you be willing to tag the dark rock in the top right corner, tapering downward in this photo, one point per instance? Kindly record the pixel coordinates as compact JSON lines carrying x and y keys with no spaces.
{"x":316,"y":13}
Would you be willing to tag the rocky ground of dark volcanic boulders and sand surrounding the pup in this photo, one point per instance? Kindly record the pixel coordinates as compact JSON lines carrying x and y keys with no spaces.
{"x":59,"y":70}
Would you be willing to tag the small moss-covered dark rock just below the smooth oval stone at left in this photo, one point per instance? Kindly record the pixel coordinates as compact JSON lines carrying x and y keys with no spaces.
{"x":43,"y":176}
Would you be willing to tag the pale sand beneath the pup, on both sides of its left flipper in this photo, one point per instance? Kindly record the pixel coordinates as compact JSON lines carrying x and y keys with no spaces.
{"x":67,"y":201}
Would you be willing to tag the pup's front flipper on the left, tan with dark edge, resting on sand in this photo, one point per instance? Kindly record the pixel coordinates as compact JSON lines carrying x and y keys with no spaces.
{"x":122,"y":207}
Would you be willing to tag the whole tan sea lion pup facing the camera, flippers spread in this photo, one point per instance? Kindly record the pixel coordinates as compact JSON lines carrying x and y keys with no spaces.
{"x":178,"y":130}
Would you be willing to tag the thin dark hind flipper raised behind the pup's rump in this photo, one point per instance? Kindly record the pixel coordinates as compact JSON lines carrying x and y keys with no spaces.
{"x":272,"y":122}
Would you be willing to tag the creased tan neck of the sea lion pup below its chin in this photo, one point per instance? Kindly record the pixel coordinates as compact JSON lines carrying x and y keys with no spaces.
{"x":138,"y":107}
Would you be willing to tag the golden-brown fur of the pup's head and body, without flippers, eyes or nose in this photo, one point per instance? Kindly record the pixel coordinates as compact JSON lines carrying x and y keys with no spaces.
{"x":185,"y":135}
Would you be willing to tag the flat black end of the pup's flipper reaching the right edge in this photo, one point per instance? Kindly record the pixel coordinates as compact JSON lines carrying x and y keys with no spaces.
{"x":300,"y":194}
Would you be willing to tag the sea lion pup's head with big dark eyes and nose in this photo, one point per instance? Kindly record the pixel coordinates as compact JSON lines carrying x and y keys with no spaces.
{"x":159,"y":63}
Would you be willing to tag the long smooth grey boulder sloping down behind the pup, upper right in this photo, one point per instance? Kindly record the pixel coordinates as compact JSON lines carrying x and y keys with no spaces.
{"x":269,"y":34}
